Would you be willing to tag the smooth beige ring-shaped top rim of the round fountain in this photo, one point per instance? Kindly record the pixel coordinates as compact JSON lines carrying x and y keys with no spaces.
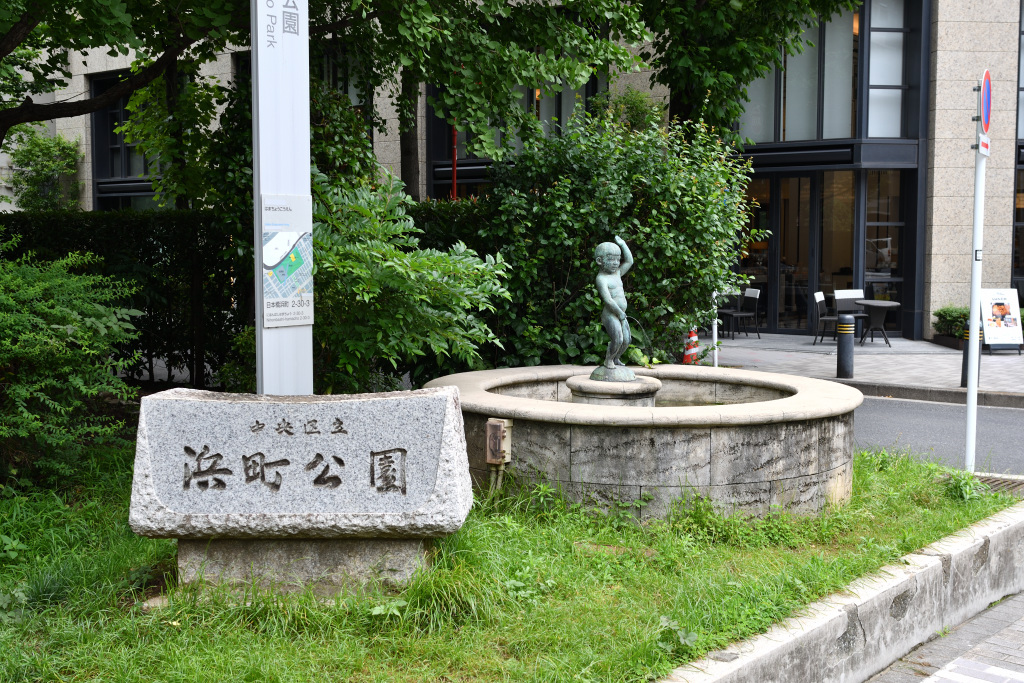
{"x":809,"y":399}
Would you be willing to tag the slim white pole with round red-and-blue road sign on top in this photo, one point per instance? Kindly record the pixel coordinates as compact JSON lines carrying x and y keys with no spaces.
{"x":974,"y":349}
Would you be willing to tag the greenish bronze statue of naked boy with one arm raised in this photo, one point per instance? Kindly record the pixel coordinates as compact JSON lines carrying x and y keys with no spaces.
{"x":615,"y":261}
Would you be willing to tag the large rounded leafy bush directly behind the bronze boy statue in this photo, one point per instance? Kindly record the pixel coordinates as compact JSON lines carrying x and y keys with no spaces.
{"x":676,"y":196}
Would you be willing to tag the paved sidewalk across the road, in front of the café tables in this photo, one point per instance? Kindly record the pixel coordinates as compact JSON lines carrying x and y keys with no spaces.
{"x":919,"y":370}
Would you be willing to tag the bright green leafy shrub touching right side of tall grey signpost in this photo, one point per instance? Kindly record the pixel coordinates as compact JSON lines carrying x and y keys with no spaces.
{"x":381,"y":302}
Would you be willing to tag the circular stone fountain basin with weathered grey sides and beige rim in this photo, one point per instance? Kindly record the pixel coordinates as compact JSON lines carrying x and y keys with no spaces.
{"x":748,"y":441}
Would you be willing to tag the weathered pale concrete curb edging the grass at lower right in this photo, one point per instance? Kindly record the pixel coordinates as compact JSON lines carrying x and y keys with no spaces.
{"x":852,"y":635}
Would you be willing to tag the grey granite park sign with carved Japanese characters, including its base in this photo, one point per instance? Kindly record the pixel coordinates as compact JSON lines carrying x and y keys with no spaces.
{"x":297,"y":490}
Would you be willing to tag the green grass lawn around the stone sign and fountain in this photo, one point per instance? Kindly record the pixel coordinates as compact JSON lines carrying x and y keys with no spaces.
{"x":531,"y":589}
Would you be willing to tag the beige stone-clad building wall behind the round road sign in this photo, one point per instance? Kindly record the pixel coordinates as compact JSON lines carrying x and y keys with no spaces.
{"x":968,"y":37}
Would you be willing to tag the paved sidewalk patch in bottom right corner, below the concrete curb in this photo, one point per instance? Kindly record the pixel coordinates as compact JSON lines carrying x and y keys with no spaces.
{"x":989,"y":649}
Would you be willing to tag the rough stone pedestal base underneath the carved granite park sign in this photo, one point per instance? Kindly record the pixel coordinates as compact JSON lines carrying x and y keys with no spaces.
{"x":329,"y":566}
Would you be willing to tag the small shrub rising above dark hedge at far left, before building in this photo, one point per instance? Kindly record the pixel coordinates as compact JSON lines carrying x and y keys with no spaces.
{"x":46,"y":176}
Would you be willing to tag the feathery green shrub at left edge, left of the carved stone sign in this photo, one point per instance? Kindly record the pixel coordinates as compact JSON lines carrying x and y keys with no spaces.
{"x":59,"y":332}
